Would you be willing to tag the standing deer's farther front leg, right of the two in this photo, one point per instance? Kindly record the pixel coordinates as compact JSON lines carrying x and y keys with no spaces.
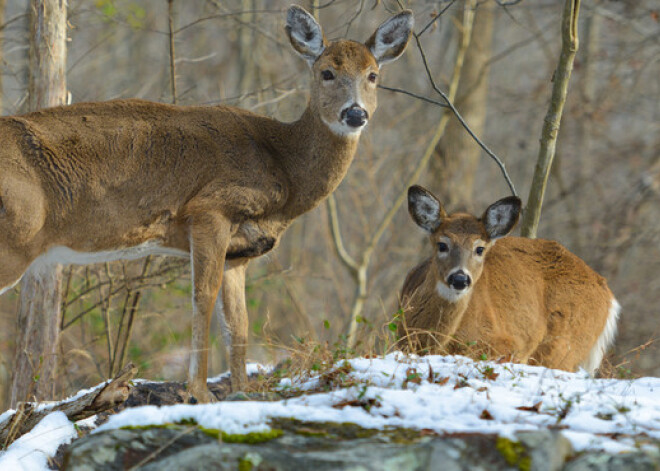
{"x":232,"y":313}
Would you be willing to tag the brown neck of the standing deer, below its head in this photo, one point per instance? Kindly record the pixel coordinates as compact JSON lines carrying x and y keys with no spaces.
{"x":316,"y":161}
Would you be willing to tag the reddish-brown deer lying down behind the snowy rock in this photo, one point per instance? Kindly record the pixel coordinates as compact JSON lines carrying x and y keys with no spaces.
{"x":527,"y":300}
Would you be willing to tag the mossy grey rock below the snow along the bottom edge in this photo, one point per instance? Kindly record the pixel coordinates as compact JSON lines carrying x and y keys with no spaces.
{"x":311,"y":446}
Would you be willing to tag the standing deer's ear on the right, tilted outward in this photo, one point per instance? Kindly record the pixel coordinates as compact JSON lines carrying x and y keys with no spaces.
{"x":391,"y":38}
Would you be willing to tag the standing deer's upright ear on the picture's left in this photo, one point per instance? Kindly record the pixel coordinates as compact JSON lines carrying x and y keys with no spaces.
{"x":305,"y":34}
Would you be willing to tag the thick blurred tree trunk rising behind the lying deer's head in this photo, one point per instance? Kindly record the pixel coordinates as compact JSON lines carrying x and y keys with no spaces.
{"x":453,"y":169}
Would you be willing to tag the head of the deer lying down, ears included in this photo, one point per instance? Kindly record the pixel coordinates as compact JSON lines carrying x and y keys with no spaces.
{"x":460,"y":241}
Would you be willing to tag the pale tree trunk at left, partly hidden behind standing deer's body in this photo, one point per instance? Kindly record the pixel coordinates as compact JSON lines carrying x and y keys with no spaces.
{"x":39,"y":311}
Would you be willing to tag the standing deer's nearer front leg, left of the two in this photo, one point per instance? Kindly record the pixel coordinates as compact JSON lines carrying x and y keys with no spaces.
{"x":209,"y":239}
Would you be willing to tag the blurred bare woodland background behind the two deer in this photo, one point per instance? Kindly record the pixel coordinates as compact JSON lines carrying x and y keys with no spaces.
{"x":603,"y":199}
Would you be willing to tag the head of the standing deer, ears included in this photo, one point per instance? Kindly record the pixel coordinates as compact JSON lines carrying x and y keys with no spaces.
{"x":345,"y":73}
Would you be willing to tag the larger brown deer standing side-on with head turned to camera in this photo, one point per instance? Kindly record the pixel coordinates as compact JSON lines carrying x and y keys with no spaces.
{"x":123,"y":179}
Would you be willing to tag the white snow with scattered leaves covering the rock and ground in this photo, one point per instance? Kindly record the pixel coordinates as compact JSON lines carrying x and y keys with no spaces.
{"x":446,"y":394}
